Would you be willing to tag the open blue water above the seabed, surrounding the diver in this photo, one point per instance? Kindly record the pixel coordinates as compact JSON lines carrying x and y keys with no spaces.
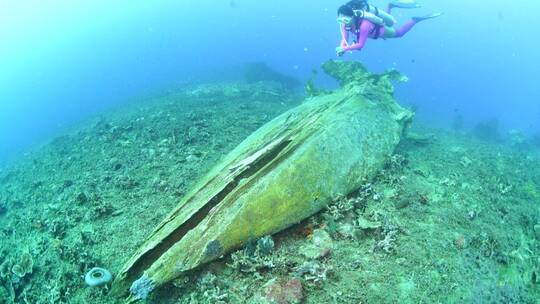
{"x":63,"y":61}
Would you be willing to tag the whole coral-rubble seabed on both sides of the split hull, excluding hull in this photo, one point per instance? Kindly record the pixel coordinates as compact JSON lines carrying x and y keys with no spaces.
{"x":456,"y":231}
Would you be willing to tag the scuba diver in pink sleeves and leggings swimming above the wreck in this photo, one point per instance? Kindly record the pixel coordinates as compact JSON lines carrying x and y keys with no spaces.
{"x":367,"y":21}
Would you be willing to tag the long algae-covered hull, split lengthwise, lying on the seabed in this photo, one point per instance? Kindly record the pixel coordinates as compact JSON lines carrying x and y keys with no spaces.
{"x":283,"y":173}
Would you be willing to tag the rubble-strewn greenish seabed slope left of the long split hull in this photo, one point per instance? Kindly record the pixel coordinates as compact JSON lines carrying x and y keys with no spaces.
{"x":75,"y":199}
